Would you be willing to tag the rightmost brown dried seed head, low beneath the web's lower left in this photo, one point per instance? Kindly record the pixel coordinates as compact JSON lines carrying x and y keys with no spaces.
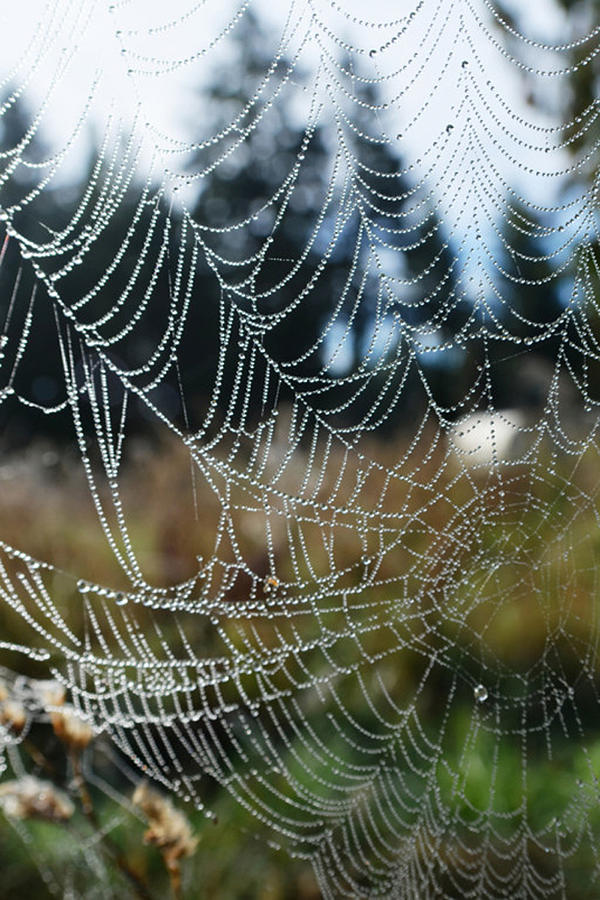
{"x":169,"y":829}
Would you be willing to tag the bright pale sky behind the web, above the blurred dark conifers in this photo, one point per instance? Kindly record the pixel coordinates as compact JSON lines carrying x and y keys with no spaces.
{"x":454,"y":104}
